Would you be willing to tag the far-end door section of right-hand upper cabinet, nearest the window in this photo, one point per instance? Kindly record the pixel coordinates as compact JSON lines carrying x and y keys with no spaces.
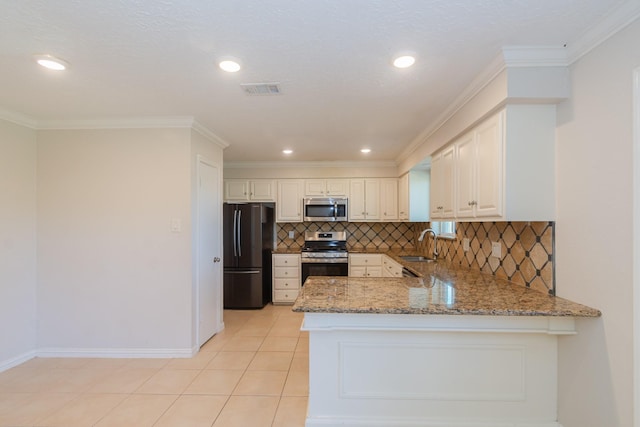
{"x":442,"y":184}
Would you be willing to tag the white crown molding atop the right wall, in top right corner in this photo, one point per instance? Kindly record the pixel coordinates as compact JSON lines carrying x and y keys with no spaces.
{"x":614,"y":21}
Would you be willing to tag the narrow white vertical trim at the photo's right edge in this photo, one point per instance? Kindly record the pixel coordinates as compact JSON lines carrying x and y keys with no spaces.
{"x":636,"y":247}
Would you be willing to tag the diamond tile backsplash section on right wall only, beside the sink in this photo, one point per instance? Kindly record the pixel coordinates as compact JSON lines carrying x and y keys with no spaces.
{"x":527,"y":251}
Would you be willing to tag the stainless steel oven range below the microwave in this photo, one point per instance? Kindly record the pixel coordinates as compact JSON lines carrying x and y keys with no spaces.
{"x":324,"y":254}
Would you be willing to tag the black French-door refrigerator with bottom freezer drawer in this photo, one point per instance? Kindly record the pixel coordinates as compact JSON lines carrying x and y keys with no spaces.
{"x":248,"y":243}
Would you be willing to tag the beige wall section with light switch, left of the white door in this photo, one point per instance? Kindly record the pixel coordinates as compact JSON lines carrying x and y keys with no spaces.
{"x":113,"y":278}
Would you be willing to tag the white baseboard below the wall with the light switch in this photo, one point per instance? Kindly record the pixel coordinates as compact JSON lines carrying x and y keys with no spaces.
{"x":117,"y":353}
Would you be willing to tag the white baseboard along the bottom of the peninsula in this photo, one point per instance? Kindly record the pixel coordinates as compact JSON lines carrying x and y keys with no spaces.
{"x":403,"y":422}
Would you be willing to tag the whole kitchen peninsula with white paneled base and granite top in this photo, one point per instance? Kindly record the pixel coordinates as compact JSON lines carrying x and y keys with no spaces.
{"x":450,"y":347}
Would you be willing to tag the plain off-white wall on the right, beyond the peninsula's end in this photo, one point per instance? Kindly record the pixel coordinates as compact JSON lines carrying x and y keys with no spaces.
{"x":594,"y":234}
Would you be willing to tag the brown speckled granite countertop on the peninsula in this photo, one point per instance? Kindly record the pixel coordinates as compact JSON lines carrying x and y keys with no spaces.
{"x":440,"y":289}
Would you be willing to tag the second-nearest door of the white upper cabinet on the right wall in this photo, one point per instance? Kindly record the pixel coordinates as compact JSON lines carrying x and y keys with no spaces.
{"x":466,"y":177}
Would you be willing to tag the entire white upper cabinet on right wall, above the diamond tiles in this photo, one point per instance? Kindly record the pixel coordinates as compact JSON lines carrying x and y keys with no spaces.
{"x":503,"y":169}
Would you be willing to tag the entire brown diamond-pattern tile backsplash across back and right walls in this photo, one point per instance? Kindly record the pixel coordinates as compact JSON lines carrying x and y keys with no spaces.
{"x":527,"y":247}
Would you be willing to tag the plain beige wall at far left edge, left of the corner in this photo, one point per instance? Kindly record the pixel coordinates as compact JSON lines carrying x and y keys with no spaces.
{"x":17,"y":243}
